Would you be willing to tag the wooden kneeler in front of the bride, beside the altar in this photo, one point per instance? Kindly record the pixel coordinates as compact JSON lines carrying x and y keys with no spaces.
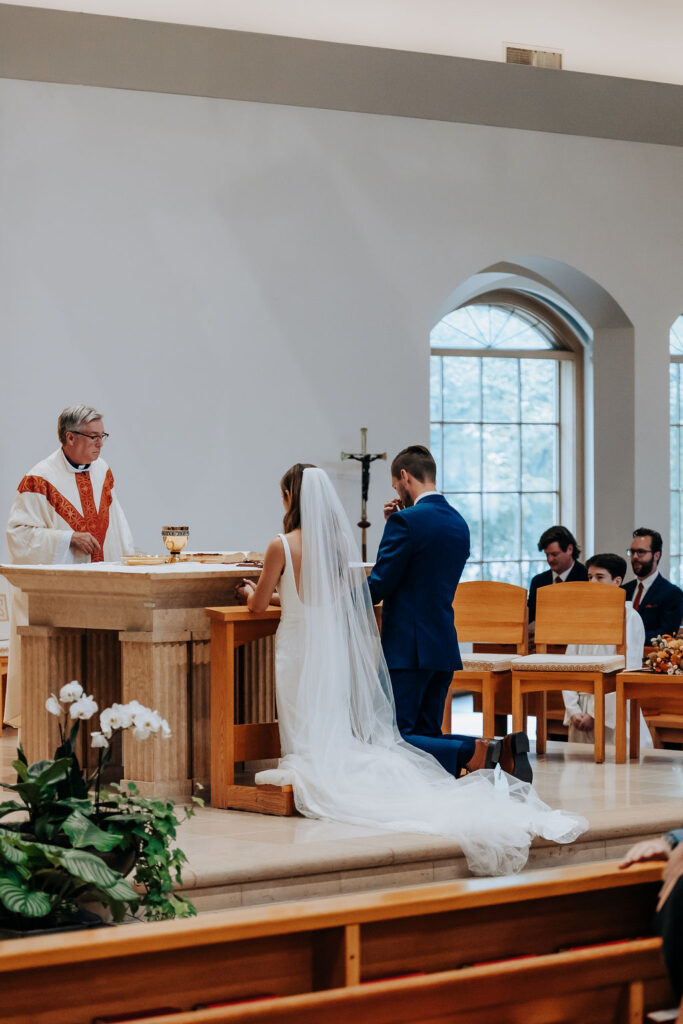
{"x":231,"y":742}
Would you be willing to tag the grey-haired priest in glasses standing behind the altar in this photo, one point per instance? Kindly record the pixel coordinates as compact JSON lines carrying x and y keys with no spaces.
{"x":65,"y":513}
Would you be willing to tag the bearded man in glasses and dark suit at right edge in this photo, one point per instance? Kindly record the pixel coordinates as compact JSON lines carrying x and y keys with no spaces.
{"x":659,"y":602}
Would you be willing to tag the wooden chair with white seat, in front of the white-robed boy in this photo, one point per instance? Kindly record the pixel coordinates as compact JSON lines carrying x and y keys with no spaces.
{"x":573,"y":614}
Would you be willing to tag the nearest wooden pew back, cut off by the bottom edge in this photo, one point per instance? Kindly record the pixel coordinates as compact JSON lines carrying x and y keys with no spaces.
{"x":591,"y":987}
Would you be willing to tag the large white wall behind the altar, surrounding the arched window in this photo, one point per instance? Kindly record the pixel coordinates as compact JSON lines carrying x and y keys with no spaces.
{"x":242,"y":286}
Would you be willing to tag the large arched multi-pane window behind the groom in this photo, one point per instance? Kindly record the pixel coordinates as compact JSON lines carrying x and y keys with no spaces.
{"x":503,"y":430}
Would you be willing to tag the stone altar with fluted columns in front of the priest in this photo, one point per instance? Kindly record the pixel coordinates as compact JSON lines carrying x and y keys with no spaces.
{"x":136,"y":632}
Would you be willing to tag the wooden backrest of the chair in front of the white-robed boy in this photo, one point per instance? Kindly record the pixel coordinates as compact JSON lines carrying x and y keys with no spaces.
{"x":581,"y":613}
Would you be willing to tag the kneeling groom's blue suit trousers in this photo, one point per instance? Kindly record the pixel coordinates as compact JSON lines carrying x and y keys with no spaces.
{"x":420,"y":699}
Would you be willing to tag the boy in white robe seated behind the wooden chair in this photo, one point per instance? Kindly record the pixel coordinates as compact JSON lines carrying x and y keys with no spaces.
{"x":580,"y":708}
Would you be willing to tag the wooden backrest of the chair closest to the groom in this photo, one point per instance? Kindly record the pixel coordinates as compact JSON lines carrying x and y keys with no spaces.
{"x":492,"y":614}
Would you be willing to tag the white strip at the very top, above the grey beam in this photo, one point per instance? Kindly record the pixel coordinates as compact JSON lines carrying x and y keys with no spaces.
{"x":626,"y":38}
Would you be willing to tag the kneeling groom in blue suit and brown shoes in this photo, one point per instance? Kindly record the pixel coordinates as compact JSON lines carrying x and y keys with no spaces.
{"x":419,"y":564}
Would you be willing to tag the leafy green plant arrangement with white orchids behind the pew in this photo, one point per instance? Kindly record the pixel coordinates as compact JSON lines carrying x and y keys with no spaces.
{"x":66,"y":842}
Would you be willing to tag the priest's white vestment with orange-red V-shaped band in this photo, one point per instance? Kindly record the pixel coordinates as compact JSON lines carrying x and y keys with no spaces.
{"x":54,"y":501}
